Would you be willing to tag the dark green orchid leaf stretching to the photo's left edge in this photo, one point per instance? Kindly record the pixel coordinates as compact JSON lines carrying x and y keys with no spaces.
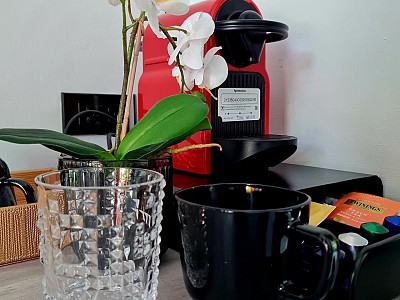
{"x":55,"y":141}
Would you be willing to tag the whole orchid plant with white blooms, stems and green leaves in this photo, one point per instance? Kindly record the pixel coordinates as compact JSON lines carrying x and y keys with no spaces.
{"x":172,"y":119}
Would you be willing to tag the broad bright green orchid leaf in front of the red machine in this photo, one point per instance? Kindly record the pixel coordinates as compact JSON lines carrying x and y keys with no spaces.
{"x":169,"y":121}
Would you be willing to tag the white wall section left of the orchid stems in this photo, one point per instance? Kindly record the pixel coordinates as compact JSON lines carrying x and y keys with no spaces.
{"x":49,"y":47}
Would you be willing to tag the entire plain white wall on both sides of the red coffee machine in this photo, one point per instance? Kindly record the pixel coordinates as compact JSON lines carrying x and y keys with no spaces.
{"x":334,"y":81}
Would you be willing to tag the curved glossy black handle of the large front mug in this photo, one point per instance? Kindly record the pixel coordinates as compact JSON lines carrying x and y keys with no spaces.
{"x":329,"y":246}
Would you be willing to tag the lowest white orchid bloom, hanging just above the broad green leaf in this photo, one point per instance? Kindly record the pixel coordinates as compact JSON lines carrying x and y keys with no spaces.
{"x":212,"y":74}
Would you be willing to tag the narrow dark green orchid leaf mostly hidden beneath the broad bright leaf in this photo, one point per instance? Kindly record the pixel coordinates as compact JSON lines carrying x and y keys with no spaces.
{"x":149,"y":150}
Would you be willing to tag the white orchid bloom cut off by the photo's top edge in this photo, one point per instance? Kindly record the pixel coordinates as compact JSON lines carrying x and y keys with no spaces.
{"x":153,"y":7}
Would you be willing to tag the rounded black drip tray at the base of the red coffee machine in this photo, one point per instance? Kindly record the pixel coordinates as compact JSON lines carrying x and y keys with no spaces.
{"x":253,"y":151}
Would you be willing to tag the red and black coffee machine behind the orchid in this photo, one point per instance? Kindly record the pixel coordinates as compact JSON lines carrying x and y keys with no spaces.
{"x":240,"y":116}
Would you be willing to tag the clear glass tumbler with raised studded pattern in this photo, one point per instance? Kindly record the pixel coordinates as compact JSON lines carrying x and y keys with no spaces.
{"x":101,"y":229}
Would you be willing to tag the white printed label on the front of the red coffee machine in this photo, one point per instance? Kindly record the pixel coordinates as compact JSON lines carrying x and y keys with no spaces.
{"x":239,"y":104}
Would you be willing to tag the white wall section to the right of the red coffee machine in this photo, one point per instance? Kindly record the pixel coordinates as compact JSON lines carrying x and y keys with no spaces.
{"x":335,"y":84}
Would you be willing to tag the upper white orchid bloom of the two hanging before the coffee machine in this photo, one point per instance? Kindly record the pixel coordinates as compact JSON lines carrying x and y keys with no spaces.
{"x":199,"y":27}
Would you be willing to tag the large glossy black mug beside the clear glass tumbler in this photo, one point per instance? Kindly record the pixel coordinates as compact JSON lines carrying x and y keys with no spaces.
{"x":244,"y":241}
